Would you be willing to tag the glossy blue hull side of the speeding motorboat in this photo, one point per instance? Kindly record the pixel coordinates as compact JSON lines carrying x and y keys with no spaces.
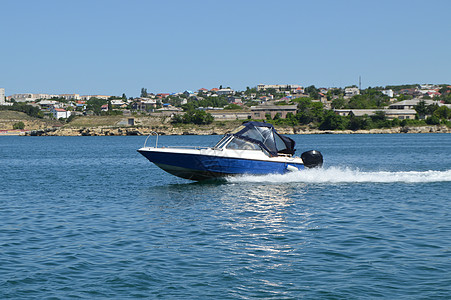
{"x":202,"y":167}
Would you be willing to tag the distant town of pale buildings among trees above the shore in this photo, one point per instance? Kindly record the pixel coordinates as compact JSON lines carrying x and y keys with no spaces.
{"x":289,"y":104}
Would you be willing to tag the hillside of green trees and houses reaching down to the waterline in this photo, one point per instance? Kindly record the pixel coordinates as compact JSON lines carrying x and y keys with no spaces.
{"x":317,"y":109}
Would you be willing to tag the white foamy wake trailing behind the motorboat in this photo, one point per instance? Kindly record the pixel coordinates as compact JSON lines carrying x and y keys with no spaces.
{"x":347,"y":175}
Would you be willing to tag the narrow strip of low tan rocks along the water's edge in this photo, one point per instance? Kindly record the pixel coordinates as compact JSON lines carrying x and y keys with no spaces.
{"x":199,"y":130}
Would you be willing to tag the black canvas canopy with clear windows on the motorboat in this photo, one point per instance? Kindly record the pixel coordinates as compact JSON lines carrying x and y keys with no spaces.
{"x":265,"y":135}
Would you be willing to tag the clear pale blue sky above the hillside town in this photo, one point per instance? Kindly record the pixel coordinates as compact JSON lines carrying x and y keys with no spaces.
{"x":114,"y":47}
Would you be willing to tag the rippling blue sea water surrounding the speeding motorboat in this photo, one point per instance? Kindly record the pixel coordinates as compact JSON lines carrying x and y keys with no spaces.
{"x":89,"y":217}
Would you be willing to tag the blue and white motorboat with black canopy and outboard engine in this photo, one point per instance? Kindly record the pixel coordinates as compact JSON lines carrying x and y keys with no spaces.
{"x":254,"y":148}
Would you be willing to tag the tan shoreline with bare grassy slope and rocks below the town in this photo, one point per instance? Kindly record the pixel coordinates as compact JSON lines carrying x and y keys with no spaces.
{"x":143,"y":125}
